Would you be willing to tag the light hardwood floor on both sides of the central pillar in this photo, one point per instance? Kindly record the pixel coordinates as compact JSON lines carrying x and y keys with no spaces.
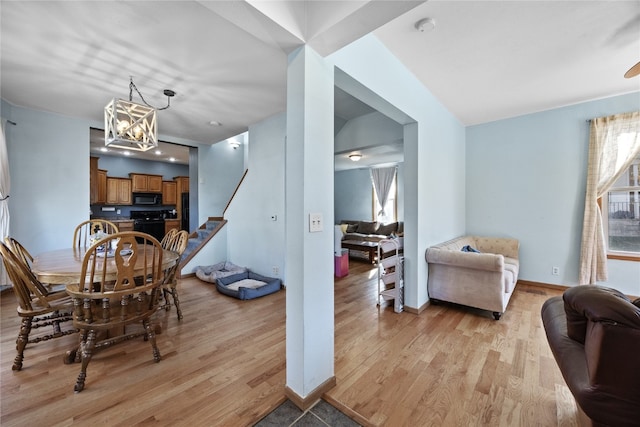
{"x":224,"y":365}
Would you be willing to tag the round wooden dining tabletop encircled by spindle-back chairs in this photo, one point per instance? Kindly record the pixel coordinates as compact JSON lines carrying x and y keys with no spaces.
{"x":64,"y":266}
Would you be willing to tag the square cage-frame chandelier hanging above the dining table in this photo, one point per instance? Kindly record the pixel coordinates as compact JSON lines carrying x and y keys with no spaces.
{"x":131,"y":125}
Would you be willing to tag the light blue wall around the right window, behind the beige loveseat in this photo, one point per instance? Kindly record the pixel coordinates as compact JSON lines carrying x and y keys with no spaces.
{"x":526,"y":178}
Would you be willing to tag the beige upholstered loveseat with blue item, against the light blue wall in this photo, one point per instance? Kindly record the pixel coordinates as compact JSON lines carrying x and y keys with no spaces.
{"x":474,"y":271}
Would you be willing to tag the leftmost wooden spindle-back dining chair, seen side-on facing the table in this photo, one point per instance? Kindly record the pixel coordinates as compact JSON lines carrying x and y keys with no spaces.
{"x":38,"y":307}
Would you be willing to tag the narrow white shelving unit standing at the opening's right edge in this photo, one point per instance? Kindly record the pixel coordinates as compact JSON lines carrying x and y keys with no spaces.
{"x":391,"y":272}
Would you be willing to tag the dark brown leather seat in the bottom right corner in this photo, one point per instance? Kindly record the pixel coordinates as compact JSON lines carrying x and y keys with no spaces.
{"x":594,"y":334}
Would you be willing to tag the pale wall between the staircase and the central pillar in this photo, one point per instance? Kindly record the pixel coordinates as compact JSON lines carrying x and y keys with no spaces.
{"x":254,"y":239}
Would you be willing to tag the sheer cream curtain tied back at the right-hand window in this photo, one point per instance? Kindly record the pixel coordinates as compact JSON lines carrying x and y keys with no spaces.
{"x":614,"y":142}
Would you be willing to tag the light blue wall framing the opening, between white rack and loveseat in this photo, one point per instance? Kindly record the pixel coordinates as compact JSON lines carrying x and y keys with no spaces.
{"x":434,"y":144}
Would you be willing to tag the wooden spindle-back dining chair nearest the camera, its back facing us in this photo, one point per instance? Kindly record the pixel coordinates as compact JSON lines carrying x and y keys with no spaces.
{"x":109,"y":297}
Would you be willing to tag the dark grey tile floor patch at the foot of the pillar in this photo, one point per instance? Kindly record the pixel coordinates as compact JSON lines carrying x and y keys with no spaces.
{"x":321,"y":414}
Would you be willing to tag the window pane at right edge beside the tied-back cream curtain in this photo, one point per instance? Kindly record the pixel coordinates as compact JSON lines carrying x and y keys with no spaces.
{"x":621,"y":209}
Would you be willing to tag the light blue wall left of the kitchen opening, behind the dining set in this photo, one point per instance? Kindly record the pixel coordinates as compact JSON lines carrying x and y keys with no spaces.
{"x":49,"y":169}
